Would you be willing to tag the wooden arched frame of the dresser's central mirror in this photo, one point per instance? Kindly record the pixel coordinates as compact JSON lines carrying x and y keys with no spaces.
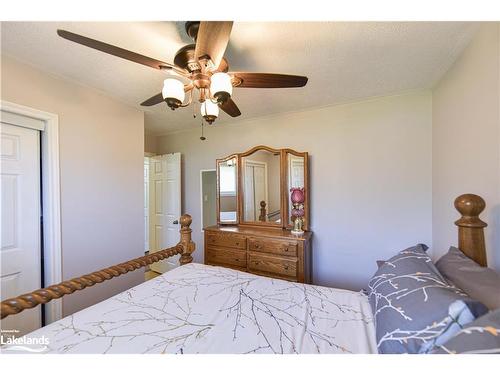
{"x":240,"y":184}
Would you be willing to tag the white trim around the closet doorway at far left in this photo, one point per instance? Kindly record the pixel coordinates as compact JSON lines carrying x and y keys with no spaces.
{"x":51,"y":199}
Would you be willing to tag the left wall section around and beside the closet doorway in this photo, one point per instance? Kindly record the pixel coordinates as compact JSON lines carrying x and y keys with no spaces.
{"x":101,"y":171}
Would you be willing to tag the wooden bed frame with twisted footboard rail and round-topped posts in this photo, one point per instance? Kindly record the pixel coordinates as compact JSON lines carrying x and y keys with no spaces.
{"x":470,"y":242}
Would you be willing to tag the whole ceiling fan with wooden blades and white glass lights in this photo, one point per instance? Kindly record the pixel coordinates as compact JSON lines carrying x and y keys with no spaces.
{"x":203,"y":65}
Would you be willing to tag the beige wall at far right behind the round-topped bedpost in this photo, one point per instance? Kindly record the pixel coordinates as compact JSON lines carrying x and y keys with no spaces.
{"x":466,"y":140}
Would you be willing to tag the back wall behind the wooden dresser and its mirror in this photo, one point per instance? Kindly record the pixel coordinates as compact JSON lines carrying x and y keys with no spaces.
{"x":370,"y":173}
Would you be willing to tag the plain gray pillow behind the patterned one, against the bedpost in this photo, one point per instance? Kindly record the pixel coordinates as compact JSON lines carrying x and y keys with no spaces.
{"x":481,"y":283}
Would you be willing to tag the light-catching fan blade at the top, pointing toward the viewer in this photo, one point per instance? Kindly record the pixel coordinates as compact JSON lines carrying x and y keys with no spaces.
{"x":212,"y":40}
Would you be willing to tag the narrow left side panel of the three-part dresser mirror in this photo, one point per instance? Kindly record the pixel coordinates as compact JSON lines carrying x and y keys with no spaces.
{"x":227,"y":190}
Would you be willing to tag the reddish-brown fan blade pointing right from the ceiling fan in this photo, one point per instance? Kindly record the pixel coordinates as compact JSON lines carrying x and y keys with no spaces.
{"x":268,"y":80}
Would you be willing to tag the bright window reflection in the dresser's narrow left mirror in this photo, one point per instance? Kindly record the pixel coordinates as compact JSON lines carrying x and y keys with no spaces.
{"x":227,"y":191}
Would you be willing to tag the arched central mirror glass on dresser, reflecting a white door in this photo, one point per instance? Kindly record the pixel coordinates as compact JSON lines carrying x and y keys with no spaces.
{"x":261,"y":187}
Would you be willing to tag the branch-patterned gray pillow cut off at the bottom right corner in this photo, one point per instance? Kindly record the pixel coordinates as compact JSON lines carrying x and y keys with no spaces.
{"x":480,"y":336}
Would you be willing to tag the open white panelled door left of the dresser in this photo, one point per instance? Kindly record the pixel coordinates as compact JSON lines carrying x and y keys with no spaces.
{"x":165,"y":206}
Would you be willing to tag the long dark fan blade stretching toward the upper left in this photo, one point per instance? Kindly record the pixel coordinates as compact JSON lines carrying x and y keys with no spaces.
{"x":117,"y":51}
